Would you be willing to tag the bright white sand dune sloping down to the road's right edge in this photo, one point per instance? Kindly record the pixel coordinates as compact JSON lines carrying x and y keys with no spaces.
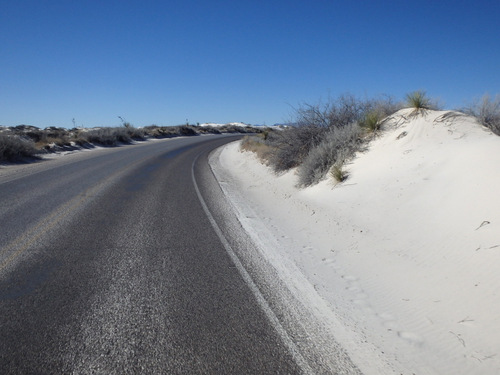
{"x":406,"y":252}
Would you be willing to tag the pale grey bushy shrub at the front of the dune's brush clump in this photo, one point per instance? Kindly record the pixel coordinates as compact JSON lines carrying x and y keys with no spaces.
{"x":338,"y":145}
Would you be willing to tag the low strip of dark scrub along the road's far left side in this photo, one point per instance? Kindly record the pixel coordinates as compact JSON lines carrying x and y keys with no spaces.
{"x":23,"y":142}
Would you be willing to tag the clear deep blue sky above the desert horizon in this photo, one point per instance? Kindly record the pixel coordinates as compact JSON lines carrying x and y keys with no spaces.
{"x":162,"y":62}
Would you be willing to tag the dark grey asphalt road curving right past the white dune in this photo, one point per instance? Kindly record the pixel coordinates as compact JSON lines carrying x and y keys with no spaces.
{"x":110,"y":264}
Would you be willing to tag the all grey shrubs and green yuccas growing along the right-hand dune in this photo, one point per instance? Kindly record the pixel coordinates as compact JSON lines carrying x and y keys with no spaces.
{"x":324,"y":137}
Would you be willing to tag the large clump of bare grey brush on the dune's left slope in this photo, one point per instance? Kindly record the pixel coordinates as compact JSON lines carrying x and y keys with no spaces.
{"x":325,"y":134}
